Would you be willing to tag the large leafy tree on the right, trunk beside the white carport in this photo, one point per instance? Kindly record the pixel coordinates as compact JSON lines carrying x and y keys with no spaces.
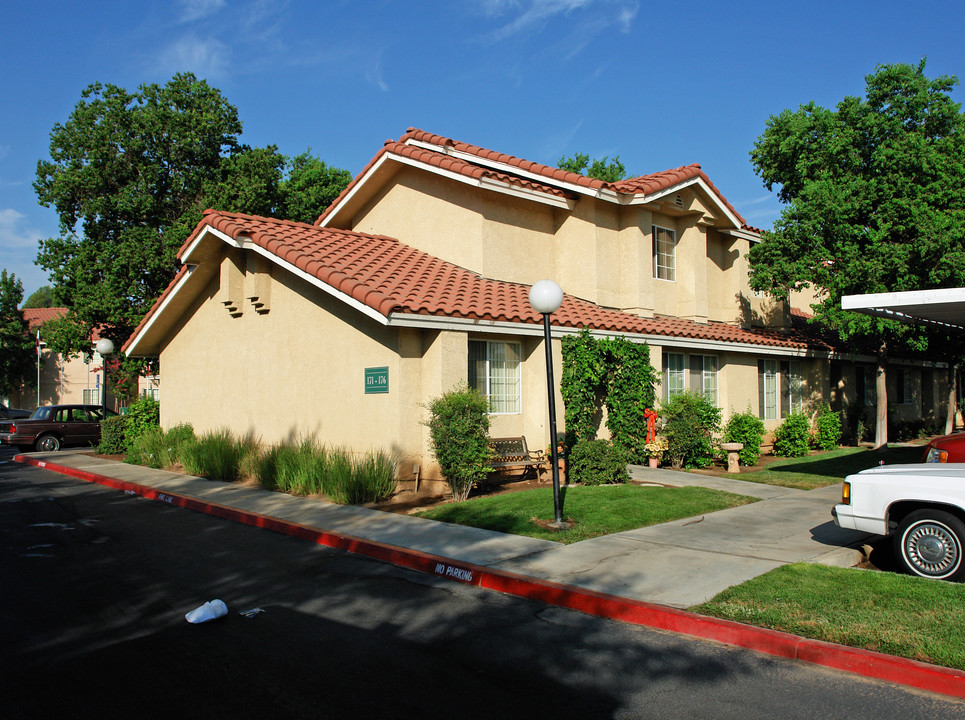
{"x":874,"y":194}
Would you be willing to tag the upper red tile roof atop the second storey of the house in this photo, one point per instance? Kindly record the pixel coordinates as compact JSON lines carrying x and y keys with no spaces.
{"x":639,"y":186}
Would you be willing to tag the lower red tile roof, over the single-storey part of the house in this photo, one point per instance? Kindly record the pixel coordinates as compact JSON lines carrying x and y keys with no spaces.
{"x":392,"y":278}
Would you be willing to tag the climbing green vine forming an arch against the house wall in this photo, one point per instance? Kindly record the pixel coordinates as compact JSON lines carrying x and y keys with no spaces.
{"x":615,"y":373}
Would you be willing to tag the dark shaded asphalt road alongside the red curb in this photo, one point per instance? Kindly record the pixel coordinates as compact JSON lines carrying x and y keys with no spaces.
{"x":96,"y":584}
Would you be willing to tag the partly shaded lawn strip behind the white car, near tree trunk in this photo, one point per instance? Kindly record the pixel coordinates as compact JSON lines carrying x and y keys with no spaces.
{"x":827,"y":468}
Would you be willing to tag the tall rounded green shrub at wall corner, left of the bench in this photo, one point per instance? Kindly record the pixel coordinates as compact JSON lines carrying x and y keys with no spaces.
{"x":459,"y":437}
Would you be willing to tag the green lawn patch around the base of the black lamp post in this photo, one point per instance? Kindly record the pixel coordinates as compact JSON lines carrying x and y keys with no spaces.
{"x":595,"y":510}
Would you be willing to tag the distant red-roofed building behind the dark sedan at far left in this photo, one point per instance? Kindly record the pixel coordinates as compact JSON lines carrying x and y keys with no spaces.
{"x":67,"y":380}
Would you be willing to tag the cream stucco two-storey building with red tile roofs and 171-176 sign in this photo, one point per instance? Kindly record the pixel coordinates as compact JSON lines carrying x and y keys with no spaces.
{"x":416,"y":279}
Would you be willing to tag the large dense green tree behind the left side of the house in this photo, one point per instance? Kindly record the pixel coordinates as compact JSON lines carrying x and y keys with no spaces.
{"x":130,"y":174}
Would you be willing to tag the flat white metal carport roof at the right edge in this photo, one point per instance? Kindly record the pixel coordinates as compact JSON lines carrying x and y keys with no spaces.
{"x":943,"y":308}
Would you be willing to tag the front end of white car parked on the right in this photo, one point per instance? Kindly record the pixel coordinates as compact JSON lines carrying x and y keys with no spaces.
{"x":921,"y":506}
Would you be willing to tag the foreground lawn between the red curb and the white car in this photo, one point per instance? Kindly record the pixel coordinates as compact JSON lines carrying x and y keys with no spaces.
{"x":894,"y":614}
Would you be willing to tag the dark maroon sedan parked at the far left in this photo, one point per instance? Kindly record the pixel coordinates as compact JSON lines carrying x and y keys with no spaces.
{"x":50,"y":428}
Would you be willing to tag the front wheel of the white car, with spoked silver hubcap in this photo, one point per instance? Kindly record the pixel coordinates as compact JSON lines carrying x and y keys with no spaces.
{"x":929,"y":544}
